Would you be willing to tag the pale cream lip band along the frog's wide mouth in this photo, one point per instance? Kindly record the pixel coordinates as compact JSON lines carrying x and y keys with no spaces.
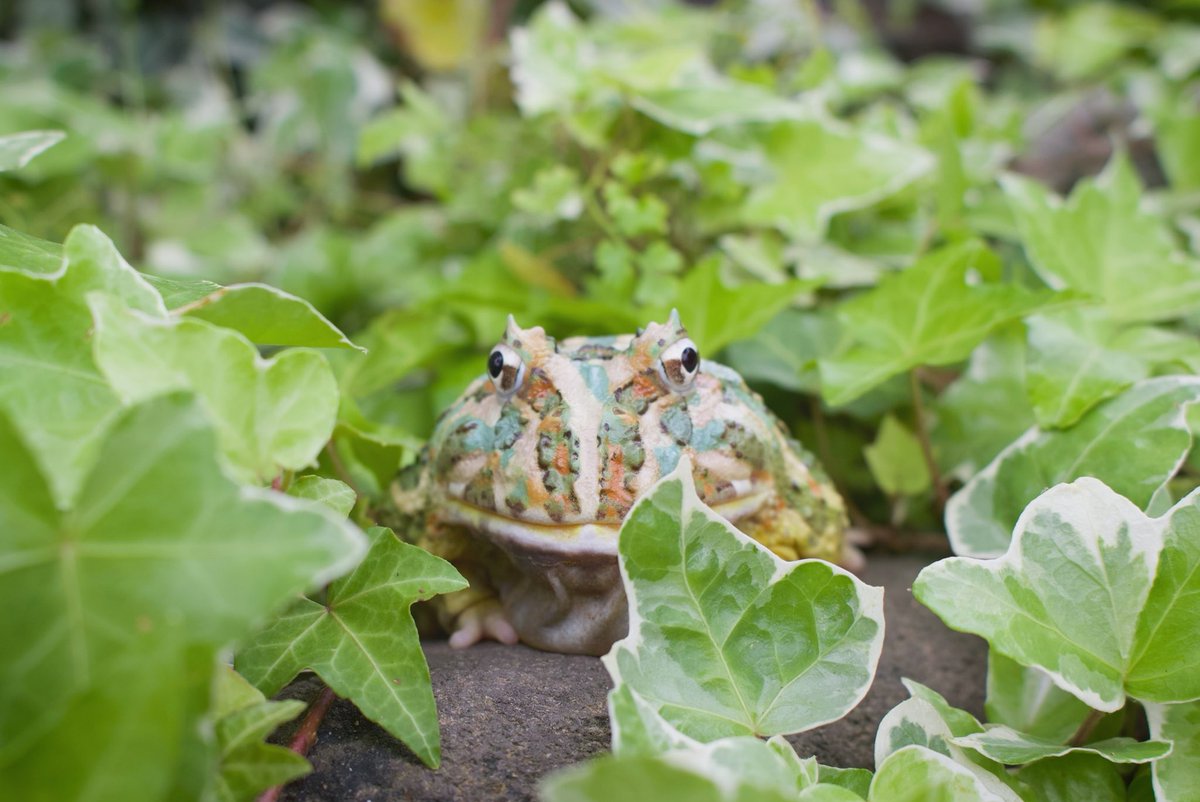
{"x":587,"y":538}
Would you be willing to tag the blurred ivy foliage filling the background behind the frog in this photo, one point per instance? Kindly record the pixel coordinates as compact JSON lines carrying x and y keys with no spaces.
{"x":418,"y":171}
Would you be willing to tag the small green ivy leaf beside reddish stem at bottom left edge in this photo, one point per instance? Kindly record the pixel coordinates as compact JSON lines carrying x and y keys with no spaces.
{"x":244,"y":717}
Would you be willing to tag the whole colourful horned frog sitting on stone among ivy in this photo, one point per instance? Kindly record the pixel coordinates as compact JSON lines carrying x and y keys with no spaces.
{"x":530,"y":474}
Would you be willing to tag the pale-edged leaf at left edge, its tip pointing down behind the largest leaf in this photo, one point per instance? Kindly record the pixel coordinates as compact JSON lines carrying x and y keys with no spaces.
{"x":50,"y":385}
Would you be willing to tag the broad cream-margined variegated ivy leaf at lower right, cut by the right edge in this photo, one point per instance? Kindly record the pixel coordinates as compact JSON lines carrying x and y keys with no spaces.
{"x":1083,"y":542}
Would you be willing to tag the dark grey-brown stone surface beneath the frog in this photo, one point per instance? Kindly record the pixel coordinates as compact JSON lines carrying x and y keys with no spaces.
{"x":512,"y":715}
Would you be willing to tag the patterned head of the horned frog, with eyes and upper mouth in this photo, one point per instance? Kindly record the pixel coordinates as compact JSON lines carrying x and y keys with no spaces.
{"x":557,"y":440}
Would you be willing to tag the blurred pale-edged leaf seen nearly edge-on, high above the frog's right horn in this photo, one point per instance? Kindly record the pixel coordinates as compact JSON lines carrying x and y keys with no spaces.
{"x":699,"y":111}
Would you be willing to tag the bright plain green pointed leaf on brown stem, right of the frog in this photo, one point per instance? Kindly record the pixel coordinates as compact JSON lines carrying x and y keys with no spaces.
{"x":928,"y":315}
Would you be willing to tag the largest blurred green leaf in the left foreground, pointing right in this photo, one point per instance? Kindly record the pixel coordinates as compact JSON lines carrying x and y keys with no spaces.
{"x":121,"y":605}
